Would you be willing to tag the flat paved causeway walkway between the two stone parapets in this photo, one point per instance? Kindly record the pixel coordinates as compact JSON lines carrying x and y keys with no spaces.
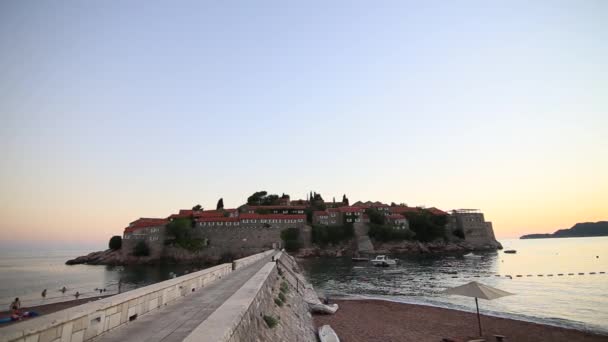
{"x":176,"y":320}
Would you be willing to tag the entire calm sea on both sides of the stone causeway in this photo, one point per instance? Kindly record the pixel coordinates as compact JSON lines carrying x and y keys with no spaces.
{"x":538,"y":275}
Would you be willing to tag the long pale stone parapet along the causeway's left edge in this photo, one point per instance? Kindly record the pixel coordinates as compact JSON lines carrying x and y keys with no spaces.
{"x":84,"y":322}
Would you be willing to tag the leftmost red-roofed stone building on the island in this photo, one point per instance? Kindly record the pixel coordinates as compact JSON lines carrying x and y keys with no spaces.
{"x":149,"y":230}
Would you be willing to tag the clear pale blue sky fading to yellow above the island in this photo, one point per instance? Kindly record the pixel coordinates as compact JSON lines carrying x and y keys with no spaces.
{"x":115,"y":110}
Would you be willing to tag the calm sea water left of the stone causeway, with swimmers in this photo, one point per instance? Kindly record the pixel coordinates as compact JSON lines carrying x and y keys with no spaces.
{"x":25,"y":273}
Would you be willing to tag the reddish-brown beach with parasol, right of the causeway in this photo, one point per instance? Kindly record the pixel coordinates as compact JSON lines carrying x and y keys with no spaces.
{"x":383,"y":321}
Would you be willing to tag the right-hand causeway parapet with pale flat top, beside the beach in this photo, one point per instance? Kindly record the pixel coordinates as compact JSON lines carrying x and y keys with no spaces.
{"x":236,"y":319}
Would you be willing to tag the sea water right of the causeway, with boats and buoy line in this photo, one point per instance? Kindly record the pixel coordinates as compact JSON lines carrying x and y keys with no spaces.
{"x":577,"y":301}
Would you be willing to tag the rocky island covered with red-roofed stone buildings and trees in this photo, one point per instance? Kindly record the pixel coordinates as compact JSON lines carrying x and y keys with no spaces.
{"x":310,"y":227}
